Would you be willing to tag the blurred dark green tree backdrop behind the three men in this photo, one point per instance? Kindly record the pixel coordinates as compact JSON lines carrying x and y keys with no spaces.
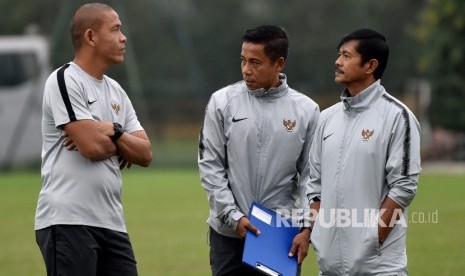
{"x":180,"y":52}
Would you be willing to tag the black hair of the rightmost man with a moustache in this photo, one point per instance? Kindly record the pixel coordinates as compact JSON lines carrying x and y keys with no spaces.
{"x":371,"y":45}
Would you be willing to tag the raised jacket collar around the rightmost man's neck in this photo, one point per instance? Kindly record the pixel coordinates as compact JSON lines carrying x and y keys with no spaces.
{"x":364,"y":99}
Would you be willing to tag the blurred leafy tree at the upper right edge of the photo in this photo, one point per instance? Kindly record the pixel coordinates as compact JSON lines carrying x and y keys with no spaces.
{"x":442,"y":37}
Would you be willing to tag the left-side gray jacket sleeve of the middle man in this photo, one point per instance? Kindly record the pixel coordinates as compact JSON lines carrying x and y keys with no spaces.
{"x":212,"y":166}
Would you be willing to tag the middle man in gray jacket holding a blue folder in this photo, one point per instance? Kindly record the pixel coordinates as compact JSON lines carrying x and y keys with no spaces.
{"x":254,"y":146}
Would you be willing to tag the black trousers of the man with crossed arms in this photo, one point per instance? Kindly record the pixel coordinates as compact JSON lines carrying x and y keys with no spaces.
{"x":77,"y":250}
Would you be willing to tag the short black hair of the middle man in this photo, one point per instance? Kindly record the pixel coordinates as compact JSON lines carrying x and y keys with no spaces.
{"x":275,"y":39}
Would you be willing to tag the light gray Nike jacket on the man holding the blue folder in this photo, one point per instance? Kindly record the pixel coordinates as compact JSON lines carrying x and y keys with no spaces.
{"x":254,"y":146}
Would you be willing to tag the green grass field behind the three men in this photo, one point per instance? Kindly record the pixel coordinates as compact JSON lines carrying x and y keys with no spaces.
{"x":166,"y":211}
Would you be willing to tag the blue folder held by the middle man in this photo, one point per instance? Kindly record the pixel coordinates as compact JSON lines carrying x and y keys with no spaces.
{"x":269,"y":251}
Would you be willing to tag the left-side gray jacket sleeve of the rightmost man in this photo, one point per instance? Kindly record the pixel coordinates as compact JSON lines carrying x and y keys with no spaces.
{"x":313,"y":184}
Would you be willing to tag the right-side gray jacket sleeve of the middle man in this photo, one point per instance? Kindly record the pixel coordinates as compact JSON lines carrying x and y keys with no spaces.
{"x":302,"y":164}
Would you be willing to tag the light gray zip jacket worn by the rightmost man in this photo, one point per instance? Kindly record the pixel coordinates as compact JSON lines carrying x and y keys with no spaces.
{"x":365,"y":148}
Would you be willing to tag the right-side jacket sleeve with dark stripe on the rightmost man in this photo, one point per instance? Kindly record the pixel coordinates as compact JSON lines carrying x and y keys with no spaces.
{"x":403,"y":160}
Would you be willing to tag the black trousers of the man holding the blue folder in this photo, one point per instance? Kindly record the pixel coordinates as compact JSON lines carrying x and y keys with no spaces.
{"x":226,"y":256}
